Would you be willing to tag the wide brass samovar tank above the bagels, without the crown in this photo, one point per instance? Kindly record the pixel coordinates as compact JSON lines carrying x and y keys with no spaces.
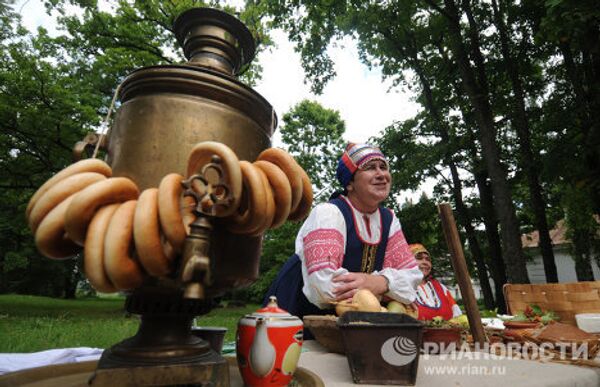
{"x":166,"y":110}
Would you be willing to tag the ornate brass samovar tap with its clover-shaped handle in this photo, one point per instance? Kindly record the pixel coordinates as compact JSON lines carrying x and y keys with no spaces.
{"x":209,"y":189}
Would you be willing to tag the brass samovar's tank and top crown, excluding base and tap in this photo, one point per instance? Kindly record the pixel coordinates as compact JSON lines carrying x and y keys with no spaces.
{"x":166,"y":110}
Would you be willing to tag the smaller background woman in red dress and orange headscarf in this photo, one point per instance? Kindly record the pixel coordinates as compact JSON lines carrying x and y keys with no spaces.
{"x":433,"y":298}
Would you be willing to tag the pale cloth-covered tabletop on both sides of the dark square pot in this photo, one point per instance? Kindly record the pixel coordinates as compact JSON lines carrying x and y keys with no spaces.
{"x":446,"y":372}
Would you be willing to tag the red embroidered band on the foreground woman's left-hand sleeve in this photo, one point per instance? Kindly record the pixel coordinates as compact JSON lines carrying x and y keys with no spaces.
{"x":323,"y":248}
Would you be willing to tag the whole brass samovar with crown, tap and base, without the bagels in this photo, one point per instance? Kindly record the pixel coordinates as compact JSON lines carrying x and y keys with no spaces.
{"x":166,"y":110}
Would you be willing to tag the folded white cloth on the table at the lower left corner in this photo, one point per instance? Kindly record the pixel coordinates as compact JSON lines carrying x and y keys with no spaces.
{"x":11,"y":362}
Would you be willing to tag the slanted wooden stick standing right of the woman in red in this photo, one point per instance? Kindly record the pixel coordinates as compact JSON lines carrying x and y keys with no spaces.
{"x":460,"y":270}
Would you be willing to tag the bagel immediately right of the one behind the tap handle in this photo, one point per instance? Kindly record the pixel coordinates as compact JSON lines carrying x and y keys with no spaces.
{"x":250,"y":214}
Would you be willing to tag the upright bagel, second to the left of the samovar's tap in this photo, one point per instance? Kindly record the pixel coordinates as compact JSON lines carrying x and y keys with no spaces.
{"x":147,"y":235}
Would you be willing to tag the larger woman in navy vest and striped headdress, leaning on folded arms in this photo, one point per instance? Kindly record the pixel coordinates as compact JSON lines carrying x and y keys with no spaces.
{"x":349,"y":243}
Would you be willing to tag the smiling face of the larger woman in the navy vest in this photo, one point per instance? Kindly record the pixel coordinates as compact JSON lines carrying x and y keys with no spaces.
{"x":371,"y":184}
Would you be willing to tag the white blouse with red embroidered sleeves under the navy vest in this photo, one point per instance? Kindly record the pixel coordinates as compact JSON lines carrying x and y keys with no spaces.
{"x":321,"y":244}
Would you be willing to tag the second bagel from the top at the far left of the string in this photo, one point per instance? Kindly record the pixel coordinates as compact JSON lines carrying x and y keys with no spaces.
{"x":59,"y":192}
